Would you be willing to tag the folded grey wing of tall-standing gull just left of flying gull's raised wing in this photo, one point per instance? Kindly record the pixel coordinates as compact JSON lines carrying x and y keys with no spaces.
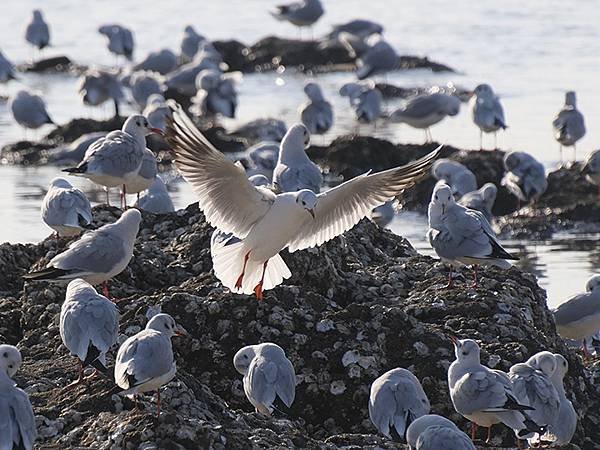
{"x":116,"y":155}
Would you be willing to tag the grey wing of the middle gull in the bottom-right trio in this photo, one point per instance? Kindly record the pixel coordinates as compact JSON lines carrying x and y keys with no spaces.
{"x":531,"y":387}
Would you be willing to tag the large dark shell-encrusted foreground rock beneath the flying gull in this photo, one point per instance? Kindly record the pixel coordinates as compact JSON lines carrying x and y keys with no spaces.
{"x":354,"y":308}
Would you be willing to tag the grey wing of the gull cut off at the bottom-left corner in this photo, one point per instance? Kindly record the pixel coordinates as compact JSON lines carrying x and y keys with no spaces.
{"x":17,"y":421}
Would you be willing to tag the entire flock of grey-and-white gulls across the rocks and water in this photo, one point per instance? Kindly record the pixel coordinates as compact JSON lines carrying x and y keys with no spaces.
{"x":280,"y":202}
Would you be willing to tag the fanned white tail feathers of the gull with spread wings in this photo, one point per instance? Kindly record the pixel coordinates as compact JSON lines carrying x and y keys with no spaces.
{"x":228,"y":263}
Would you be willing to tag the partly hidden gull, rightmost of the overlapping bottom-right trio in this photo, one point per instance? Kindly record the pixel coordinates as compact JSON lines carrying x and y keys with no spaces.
{"x":563,"y":427}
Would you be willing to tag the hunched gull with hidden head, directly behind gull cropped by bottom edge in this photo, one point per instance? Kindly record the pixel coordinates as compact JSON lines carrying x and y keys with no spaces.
{"x":396,"y":399}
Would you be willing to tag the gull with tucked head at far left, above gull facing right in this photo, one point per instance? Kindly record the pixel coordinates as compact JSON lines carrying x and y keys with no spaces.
{"x":66,"y":209}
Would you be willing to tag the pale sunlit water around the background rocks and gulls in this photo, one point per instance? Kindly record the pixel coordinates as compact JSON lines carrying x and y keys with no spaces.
{"x":530,"y":52}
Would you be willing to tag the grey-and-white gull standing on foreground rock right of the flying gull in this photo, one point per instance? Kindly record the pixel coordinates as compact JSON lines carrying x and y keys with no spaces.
{"x":462,"y":236}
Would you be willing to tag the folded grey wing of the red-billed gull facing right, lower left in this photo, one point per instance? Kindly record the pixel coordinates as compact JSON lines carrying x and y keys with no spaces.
{"x":142,"y":357}
